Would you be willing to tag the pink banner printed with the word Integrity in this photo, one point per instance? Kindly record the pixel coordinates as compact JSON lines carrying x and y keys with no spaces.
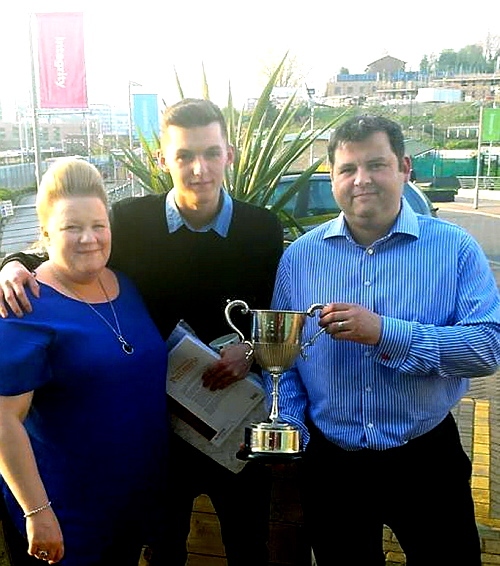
{"x":61,"y":60}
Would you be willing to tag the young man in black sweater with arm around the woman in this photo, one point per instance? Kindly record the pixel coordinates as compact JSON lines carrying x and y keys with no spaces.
{"x":189,"y":252}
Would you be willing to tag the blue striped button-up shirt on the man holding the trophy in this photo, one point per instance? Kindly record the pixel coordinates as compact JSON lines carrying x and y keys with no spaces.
{"x":440,"y":306}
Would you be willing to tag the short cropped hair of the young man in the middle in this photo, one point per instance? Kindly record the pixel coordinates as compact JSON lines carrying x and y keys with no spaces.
{"x":192,"y":113}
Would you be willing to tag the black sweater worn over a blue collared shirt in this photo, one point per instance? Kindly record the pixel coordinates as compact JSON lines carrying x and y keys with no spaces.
{"x":191,"y":275}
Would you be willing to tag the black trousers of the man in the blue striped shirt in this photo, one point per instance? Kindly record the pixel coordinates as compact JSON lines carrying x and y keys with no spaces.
{"x":420,"y":490}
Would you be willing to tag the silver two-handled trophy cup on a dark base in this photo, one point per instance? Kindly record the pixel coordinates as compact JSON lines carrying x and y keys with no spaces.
{"x":276,"y":343}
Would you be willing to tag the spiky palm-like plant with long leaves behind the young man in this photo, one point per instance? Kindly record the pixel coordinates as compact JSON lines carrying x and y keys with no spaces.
{"x":262,"y":156}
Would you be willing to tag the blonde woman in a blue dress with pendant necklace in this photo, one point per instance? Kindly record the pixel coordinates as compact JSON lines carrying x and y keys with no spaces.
{"x":83,"y":418}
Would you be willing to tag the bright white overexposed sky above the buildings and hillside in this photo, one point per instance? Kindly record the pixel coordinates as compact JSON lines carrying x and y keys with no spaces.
{"x":235,"y":42}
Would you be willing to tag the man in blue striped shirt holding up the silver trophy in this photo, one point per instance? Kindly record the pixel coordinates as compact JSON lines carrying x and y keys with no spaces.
{"x":412,"y":312}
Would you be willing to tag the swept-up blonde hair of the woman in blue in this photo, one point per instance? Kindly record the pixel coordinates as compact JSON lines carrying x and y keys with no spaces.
{"x":68,"y":177}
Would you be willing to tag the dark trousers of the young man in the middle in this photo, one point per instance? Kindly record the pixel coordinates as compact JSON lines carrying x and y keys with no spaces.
{"x":242,"y":502}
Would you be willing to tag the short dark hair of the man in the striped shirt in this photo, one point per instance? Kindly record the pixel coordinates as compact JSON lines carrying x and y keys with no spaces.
{"x":359,"y":128}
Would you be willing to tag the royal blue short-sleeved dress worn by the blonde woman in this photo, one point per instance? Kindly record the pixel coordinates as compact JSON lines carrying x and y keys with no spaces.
{"x":98,"y":420}
